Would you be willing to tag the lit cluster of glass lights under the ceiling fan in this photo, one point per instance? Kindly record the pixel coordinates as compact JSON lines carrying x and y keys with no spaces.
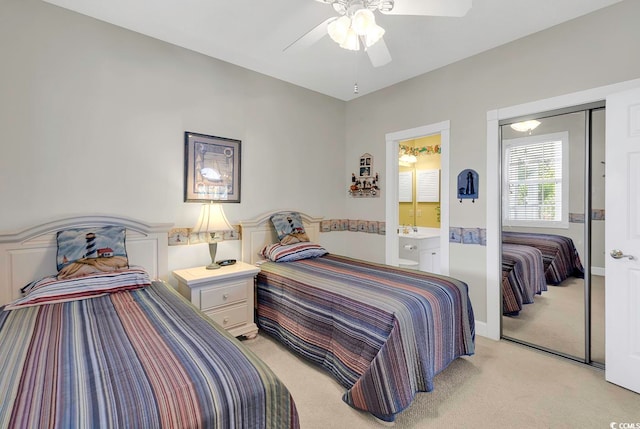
{"x":357,"y":25}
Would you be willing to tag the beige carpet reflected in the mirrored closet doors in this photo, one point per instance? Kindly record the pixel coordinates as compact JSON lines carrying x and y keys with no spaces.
{"x":556,"y":319}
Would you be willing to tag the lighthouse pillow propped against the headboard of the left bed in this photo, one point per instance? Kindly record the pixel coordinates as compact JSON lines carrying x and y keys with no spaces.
{"x":84,"y":251}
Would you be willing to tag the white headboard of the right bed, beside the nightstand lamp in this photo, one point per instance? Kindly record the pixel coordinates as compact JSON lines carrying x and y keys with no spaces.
{"x":258,"y":232}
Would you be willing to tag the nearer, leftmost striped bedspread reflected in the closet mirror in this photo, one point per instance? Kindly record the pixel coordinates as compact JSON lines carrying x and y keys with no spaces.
{"x":522,"y":276}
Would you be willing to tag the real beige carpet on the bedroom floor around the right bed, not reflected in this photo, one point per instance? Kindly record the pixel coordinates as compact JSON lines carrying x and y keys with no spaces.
{"x":504,"y":385}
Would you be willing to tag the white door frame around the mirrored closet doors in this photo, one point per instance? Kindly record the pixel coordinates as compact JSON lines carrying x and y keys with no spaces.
{"x":494,"y":271}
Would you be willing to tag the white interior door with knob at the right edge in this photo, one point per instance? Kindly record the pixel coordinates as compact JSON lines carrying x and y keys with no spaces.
{"x":622,"y":226}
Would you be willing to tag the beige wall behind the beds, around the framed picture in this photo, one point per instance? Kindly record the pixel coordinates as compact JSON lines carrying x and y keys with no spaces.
{"x":92,"y":119}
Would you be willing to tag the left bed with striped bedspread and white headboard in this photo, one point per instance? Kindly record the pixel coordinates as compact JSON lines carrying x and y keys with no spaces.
{"x":120,"y":349}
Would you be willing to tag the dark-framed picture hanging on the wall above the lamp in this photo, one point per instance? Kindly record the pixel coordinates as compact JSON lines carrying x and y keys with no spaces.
{"x":212,"y":168}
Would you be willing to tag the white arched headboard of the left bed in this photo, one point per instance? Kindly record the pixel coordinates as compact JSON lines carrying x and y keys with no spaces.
{"x":31,"y":254}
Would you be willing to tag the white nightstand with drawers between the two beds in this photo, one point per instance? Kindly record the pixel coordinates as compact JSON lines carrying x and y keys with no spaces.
{"x":225,"y":295}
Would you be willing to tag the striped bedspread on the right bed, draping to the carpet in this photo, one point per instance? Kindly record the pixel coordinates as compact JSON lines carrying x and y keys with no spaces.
{"x":382,"y":332}
